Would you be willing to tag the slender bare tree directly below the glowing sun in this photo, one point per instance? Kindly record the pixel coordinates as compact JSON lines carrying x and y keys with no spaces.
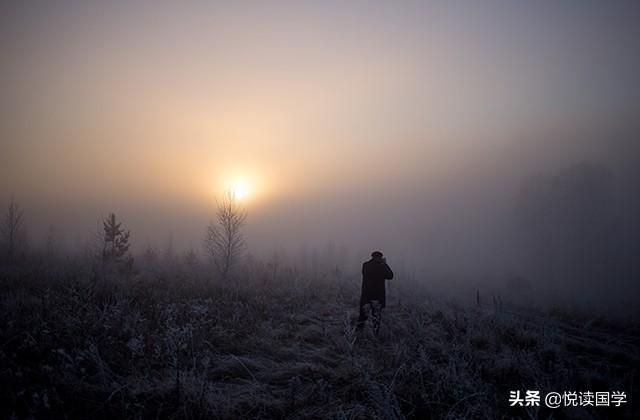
{"x":224,"y":240}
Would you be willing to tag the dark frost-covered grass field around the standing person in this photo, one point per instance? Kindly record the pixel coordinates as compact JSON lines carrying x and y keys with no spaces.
{"x":169,"y":343}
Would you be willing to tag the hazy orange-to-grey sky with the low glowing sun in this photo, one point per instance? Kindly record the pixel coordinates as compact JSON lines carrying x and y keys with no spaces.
{"x":363,"y":123}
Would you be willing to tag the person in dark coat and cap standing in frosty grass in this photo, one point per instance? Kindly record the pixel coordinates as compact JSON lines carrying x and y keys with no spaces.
{"x":374,"y":273}
